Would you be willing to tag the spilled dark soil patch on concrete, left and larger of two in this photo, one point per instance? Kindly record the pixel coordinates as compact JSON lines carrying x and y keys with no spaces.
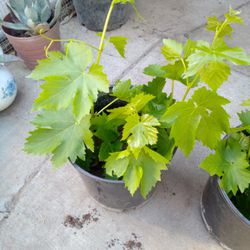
{"x":85,"y":219}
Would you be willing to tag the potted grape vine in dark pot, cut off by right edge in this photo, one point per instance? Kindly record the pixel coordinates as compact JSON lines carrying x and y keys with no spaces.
{"x":225,"y":205}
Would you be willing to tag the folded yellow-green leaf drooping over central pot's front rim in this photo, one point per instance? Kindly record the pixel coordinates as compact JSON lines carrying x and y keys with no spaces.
{"x":143,"y":171}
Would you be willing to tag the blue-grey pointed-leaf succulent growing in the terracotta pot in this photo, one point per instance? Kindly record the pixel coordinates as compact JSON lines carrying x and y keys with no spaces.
{"x":32,"y":16}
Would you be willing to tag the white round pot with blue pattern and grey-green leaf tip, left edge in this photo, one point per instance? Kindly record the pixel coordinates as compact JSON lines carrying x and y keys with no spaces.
{"x":8,"y":87}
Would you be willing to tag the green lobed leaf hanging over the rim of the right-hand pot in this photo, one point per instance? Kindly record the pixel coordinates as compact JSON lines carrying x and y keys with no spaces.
{"x":229,"y":163}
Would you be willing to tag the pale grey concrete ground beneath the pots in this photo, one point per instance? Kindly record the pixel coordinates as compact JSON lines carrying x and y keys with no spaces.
{"x":35,"y":200}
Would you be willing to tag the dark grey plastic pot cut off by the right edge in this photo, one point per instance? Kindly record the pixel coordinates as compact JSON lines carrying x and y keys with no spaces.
{"x":222,"y":219}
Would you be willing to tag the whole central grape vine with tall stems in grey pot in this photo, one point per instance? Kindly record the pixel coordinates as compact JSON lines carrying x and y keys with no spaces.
{"x":126,"y":138}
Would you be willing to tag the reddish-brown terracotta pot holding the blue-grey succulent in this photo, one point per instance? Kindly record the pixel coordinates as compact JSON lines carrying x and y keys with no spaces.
{"x":31,"y":49}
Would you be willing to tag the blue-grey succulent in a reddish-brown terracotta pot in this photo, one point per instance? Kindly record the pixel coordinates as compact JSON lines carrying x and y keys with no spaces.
{"x":25,"y":24}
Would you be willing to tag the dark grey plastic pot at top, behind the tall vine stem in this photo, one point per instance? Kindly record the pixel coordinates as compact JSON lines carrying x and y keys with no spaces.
{"x":92,"y":14}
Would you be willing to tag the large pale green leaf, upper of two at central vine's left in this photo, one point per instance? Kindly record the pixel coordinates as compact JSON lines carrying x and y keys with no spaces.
{"x":70,"y":77}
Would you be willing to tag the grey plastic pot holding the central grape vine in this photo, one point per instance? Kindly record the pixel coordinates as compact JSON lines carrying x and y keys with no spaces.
{"x":110,"y":193}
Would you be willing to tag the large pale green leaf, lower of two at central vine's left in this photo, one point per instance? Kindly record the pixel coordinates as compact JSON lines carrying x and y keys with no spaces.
{"x":58,"y":133}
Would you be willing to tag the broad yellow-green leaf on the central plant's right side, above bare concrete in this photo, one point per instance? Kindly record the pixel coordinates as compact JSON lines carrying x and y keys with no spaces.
{"x":197,"y":118}
